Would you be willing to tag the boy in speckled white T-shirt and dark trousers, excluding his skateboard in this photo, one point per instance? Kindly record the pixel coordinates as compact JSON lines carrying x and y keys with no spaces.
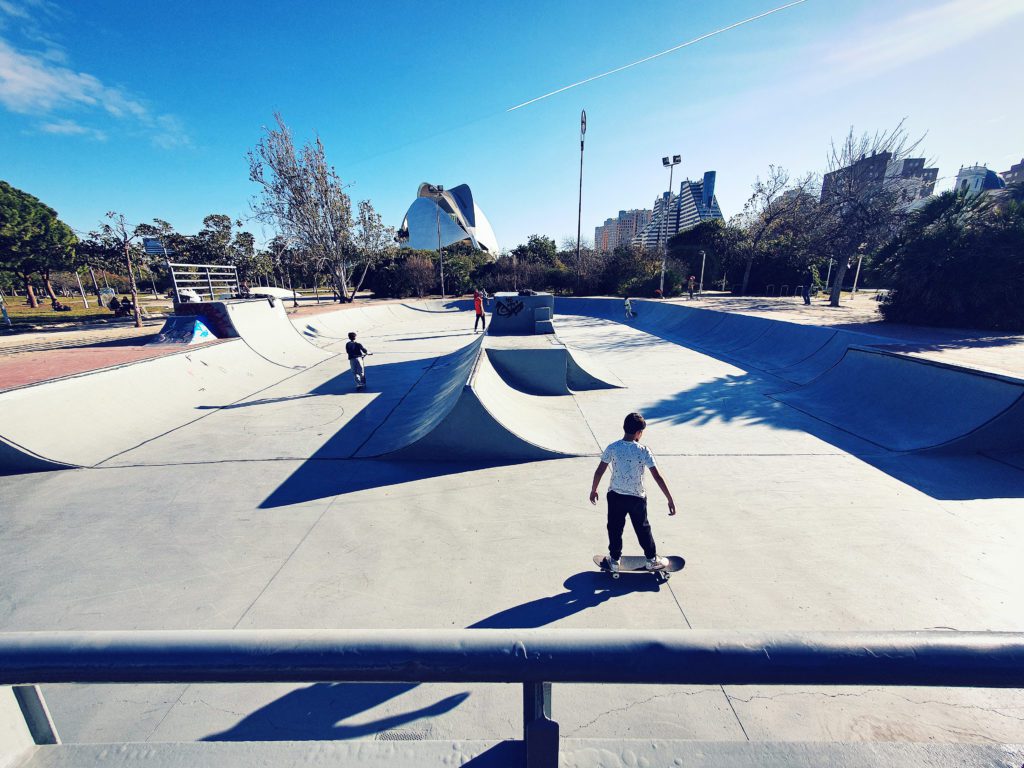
{"x":626,"y":492}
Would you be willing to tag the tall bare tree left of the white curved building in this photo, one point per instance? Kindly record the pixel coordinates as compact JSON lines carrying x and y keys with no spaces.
{"x":303,"y":195}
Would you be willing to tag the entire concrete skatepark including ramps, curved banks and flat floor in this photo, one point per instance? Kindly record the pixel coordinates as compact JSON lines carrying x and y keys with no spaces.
{"x":825,"y":484}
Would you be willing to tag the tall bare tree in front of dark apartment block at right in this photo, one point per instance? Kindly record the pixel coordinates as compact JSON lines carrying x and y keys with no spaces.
{"x":865,"y":196}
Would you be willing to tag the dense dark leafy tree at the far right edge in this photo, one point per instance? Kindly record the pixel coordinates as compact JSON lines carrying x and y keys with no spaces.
{"x":960,"y":262}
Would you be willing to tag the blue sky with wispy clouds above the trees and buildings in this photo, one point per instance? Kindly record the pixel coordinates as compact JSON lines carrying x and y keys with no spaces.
{"x":149,"y":109}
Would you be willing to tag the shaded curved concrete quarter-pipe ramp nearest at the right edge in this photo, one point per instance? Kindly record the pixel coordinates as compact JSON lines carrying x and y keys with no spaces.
{"x":907,"y":404}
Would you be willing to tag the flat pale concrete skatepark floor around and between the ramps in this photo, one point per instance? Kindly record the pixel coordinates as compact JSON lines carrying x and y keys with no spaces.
{"x":259,"y":516}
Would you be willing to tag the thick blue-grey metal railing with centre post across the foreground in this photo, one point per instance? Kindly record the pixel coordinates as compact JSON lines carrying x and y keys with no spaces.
{"x":535,"y":658}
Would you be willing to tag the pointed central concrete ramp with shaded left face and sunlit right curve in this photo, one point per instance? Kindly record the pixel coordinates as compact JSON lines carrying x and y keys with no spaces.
{"x":462,"y":410}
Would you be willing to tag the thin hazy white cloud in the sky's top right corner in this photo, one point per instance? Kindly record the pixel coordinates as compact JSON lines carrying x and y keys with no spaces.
{"x":920,"y":34}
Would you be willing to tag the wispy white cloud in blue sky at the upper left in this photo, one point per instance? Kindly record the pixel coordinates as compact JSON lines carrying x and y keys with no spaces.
{"x":35,"y":84}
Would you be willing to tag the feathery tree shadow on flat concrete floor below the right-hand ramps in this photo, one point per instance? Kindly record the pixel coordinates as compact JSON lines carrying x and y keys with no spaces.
{"x":744,"y":398}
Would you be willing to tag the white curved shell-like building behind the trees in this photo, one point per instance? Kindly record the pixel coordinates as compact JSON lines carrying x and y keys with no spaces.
{"x":440,"y":218}
